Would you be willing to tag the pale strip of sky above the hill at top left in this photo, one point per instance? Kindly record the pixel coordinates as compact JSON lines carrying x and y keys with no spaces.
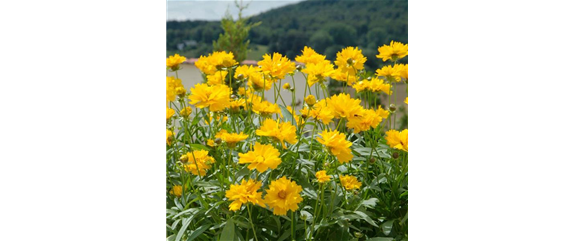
{"x":215,"y":10}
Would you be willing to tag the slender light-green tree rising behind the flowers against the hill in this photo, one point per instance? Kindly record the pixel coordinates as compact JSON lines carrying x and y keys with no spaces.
{"x":235,"y":34}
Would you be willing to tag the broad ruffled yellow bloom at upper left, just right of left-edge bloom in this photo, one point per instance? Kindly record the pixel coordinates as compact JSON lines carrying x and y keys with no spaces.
{"x":215,"y":97}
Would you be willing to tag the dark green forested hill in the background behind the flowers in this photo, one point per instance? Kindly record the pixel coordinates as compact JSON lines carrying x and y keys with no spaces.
{"x":327,"y":26}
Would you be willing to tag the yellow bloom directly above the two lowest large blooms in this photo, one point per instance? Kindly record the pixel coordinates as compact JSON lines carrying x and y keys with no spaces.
{"x":262,"y":157}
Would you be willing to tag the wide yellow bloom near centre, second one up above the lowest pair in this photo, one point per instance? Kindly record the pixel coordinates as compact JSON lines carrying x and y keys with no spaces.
{"x":280,"y":132}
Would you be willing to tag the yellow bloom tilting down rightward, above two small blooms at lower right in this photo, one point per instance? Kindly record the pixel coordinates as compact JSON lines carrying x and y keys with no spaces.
{"x":337,"y":145}
